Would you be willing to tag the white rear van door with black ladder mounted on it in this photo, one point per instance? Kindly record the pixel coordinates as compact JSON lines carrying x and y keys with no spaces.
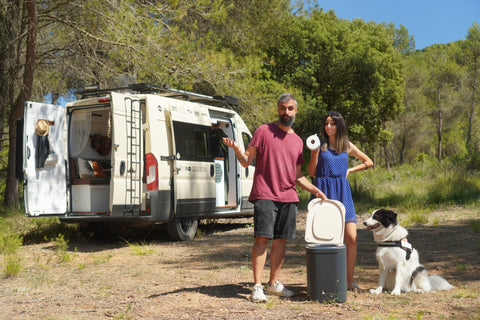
{"x":127,"y":156}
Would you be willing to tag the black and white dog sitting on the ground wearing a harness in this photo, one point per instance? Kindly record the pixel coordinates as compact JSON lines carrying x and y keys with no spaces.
{"x":400,"y":270}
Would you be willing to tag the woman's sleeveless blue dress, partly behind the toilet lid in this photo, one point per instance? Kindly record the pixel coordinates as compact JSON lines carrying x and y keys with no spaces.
{"x":331,"y":179}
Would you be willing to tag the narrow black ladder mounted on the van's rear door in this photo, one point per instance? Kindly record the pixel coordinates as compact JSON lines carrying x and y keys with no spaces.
{"x":134,"y":157}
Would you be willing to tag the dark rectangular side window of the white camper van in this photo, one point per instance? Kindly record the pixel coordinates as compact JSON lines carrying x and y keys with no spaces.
{"x":192,"y":141}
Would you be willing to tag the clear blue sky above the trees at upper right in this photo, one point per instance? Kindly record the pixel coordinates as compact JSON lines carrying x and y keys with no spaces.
{"x":429,"y":21}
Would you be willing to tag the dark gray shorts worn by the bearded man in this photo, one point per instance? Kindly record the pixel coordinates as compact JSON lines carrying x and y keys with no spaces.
{"x":275,"y":220}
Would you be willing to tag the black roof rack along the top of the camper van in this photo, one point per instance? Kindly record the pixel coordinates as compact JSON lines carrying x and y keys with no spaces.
{"x":165,"y":90}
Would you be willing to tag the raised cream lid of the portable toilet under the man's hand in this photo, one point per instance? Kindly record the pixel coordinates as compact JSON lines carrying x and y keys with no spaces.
{"x":325,"y":222}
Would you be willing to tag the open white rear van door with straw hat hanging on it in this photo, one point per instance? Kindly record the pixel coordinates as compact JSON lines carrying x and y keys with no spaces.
{"x":44,"y":165}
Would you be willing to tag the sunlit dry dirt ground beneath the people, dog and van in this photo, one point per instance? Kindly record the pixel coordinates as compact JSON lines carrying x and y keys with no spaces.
{"x":211,"y":277}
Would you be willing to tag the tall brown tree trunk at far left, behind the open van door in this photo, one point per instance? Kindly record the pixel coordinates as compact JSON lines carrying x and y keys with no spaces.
{"x":11,"y":189}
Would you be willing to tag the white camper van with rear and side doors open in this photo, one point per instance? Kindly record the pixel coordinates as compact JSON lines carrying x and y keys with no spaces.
{"x":136,"y":156}
